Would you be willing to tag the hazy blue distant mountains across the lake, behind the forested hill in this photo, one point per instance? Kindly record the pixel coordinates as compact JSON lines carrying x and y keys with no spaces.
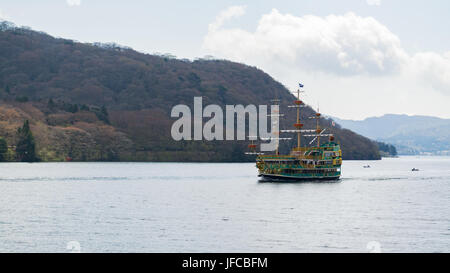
{"x":409,"y":134}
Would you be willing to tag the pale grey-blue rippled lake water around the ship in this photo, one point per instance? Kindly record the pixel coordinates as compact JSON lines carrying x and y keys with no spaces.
{"x":189,"y":207}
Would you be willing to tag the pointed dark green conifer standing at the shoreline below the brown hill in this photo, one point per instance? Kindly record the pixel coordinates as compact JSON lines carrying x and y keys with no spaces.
{"x":26,"y":147}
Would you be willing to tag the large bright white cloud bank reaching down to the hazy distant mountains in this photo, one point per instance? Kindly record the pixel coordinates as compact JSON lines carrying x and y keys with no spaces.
{"x":356,"y":66}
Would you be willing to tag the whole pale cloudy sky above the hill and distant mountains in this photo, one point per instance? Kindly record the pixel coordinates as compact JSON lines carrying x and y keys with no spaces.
{"x":356,"y":58}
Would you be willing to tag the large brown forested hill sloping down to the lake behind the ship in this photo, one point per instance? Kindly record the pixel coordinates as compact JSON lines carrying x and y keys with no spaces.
{"x":106,"y":102}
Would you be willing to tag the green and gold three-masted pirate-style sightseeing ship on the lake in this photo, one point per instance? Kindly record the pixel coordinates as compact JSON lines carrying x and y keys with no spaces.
{"x":315,"y":161}
